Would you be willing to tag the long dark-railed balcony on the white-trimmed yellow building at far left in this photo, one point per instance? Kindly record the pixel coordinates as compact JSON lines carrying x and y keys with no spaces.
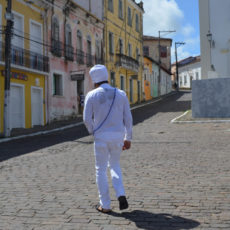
{"x":25,"y":58}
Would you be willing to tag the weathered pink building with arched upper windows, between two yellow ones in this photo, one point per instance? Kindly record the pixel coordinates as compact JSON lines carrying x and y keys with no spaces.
{"x":75,"y":36}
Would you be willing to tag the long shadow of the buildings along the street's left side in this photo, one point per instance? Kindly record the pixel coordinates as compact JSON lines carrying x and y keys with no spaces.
{"x":15,"y":148}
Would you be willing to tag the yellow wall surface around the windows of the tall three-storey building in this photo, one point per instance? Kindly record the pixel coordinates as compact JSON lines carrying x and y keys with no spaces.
{"x":121,"y":29}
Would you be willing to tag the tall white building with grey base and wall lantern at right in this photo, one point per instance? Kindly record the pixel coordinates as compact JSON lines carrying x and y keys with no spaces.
{"x":210,"y":94}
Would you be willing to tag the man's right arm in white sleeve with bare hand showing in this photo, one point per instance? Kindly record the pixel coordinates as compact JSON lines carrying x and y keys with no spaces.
{"x":128,"y":122}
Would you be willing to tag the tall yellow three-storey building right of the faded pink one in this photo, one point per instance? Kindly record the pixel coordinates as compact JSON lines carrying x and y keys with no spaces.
{"x":124,"y":46}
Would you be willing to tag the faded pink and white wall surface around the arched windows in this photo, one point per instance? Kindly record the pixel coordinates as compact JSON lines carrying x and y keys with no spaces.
{"x":66,"y":105}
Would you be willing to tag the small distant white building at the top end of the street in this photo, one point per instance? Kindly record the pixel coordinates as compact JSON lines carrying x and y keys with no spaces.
{"x":189,"y":69}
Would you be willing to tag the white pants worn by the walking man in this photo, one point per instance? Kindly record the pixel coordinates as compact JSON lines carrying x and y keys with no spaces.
{"x":107,"y":154}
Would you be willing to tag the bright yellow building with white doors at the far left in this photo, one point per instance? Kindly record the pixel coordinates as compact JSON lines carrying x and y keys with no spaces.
{"x":29,"y":66}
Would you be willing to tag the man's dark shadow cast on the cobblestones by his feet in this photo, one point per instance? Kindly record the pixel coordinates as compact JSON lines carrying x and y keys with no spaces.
{"x":150,"y":221}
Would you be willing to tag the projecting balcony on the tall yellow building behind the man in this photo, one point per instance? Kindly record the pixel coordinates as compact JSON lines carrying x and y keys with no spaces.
{"x":127,"y":62}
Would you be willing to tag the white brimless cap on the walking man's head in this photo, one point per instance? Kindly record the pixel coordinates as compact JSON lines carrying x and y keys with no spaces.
{"x":98,"y":73}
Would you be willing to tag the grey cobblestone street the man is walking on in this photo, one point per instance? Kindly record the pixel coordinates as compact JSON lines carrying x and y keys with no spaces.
{"x":176,"y":176}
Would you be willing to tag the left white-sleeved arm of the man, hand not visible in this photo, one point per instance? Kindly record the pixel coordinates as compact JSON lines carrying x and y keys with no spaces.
{"x":88,"y":114}
